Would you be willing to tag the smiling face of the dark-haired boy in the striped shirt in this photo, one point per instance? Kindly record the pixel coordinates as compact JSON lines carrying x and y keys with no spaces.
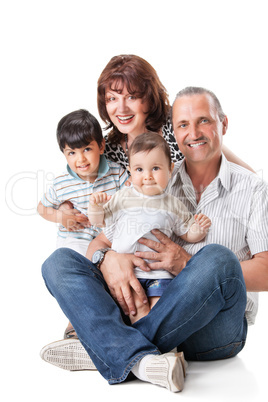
{"x":85,"y":161}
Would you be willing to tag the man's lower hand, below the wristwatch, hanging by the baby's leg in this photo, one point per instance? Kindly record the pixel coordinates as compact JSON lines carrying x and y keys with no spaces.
{"x":118,"y":272}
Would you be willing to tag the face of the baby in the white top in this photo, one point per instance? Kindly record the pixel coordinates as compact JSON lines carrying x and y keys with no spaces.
{"x":150,"y":171}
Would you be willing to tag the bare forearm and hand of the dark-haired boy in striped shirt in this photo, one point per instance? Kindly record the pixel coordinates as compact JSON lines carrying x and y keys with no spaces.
{"x":70,"y":218}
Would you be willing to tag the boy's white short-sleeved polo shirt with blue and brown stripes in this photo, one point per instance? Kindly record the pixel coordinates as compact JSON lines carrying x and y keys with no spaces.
{"x":70,"y":187}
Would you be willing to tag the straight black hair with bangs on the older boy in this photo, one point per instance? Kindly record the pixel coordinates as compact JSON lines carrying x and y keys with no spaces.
{"x":78,"y":129}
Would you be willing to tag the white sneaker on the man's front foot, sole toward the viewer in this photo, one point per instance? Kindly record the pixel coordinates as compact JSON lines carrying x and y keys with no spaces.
{"x":167,"y":370}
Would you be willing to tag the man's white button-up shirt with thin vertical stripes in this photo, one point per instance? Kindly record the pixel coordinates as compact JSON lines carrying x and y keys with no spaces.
{"x":236,"y":201}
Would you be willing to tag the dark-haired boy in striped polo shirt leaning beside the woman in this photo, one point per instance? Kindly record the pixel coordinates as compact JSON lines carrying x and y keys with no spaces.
{"x":80,"y":139}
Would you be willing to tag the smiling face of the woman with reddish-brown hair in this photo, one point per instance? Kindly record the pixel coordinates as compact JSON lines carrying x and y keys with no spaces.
{"x":126,"y":112}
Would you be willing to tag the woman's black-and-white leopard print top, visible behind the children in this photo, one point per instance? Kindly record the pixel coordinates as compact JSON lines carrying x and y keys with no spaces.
{"x":115,"y":152}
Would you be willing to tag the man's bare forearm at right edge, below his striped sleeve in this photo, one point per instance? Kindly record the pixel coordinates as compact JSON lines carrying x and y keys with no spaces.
{"x":255,"y":272}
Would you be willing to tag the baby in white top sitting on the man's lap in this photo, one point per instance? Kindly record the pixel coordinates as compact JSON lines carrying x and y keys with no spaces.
{"x":133,"y":212}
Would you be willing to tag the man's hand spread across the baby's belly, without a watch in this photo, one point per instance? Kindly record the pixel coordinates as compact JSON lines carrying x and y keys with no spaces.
{"x":169,"y":255}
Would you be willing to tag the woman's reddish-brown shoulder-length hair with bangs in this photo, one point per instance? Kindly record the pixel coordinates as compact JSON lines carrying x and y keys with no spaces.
{"x":141,"y":80}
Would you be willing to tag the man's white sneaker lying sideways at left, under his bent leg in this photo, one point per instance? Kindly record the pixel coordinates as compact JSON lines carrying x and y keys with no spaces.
{"x":68,"y":354}
